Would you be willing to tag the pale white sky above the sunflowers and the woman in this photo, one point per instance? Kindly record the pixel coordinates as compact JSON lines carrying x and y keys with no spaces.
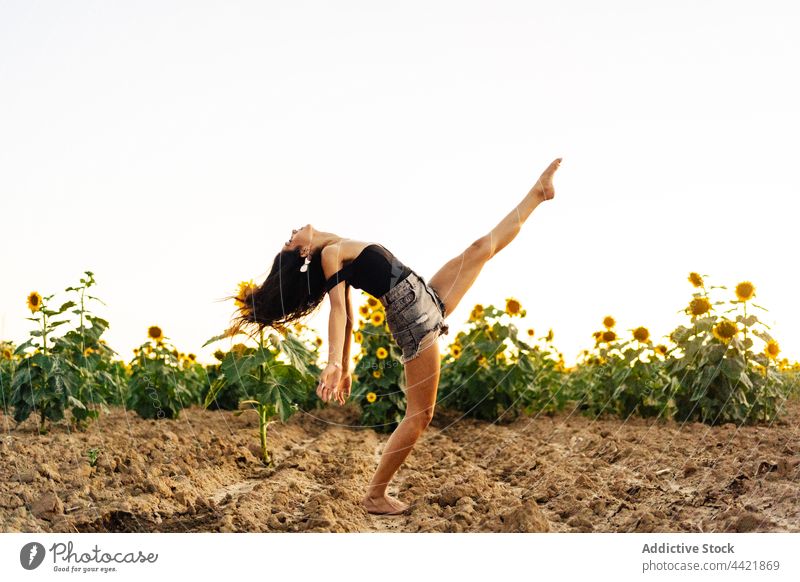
{"x":170,"y":147}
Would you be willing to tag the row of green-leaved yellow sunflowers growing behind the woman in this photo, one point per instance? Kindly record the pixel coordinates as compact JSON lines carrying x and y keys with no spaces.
{"x":721,"y":365}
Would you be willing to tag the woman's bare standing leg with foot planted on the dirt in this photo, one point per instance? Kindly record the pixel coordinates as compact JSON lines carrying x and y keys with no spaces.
{"x":422,"y":383}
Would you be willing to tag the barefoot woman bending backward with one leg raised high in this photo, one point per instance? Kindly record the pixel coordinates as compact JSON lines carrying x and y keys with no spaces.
{"x":313,"y":263}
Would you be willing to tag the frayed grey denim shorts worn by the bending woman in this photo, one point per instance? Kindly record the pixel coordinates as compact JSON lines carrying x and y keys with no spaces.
{"x":415,"y":315}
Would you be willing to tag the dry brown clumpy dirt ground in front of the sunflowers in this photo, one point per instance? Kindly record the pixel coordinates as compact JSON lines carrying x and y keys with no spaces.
{"x":565,"y":473}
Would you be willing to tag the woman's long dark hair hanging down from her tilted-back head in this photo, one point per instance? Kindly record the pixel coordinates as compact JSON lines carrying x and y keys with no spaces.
{"x":286,"y":295}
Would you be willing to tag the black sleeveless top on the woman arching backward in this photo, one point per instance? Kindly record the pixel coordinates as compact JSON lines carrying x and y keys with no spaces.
{"x":375,"y":270}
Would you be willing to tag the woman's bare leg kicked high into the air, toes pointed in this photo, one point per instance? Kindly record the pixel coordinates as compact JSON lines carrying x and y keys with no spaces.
{"x":455,"y":278}
